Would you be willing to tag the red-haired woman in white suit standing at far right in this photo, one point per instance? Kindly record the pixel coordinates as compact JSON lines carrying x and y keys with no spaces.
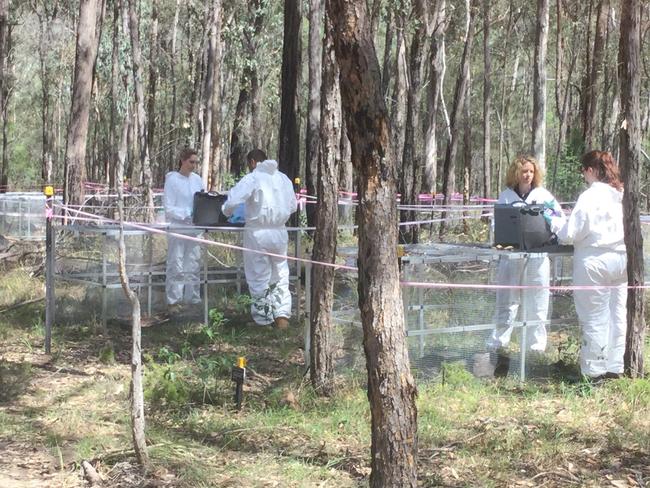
{"x":595,"y":227}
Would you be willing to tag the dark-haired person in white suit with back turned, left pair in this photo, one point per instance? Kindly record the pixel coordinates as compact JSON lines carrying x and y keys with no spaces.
{"x":269,"y":200}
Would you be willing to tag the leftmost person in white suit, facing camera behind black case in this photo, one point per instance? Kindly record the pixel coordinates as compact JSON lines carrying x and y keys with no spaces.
{"x":183,"y":256}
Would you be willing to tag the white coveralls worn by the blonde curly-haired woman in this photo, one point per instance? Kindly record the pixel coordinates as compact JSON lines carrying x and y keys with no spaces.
{"x":516,"y":271}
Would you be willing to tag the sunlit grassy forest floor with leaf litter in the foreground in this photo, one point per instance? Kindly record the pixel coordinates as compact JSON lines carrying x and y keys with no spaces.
{"x":73,"y":405}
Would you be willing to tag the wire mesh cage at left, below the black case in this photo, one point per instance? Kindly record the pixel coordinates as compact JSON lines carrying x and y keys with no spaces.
{"x":88,"y":282}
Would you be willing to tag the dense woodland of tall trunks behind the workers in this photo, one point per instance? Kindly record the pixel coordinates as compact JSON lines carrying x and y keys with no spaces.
{"x":210,"y":74}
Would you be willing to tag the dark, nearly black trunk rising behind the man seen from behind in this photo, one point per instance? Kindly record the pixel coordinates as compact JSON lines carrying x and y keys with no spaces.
{"x":289,"y":139}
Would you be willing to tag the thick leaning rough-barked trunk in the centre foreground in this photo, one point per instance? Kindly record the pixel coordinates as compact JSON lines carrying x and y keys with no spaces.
{"x":391,"y":389}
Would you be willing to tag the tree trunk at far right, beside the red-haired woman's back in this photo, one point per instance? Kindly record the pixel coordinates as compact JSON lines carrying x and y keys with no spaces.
{"x":629,"y":160}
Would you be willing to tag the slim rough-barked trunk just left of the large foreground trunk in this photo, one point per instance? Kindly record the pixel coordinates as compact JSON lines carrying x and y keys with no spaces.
{"x":322,"y":298}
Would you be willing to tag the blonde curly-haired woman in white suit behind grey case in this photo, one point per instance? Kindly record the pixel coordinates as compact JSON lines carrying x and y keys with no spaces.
{"x":524,"y":186}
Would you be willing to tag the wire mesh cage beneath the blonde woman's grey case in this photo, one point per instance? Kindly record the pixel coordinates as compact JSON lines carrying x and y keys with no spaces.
{"x":452,"y":325}
